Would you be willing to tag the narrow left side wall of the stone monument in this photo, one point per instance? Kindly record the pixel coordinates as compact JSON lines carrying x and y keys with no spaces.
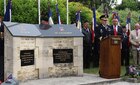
{"x":8,"y":54}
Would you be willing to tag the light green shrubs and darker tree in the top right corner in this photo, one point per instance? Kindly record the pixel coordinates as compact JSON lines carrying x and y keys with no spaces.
{"x":127,"y":6}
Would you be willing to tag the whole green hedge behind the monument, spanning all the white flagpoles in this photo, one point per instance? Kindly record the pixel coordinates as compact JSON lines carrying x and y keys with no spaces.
{"x":26,"y":11}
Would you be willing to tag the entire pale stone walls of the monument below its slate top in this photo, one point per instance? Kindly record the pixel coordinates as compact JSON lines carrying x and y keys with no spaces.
{"x":43,"y":66}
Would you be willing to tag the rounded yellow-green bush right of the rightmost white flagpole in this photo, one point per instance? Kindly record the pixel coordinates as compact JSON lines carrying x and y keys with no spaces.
{"x":86,"y":13}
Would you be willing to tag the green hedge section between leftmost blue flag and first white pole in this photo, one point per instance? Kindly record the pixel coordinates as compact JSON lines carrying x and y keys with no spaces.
{"x":24,"y":11}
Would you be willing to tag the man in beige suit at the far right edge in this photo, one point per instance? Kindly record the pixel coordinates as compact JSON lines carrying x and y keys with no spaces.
{"x":135,"y":42}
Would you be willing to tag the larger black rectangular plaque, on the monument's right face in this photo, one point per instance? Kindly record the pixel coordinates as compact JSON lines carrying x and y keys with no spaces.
{"x":62,"y":55}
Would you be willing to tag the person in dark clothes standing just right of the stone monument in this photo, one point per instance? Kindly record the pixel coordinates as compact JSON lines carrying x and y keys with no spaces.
{"x":87,"y":44}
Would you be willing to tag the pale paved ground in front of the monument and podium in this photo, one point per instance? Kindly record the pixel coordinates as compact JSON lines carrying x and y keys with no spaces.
{"x":87,"y":79}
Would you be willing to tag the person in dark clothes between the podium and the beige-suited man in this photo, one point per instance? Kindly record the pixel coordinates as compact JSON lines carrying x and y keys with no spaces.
{"x":125,"y":48}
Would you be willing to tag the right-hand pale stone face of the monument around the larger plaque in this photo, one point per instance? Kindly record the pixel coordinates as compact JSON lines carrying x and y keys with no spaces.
{"x":60,"y":69}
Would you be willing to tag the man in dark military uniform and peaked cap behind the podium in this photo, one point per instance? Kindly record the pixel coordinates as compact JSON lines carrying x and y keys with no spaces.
{"x":101,"y":32}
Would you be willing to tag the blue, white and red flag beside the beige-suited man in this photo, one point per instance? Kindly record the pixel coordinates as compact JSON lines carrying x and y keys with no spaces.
{"x":128,"y":25}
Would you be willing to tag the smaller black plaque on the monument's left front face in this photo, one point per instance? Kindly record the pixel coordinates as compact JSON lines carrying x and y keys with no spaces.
{"x":27,"y":57}
